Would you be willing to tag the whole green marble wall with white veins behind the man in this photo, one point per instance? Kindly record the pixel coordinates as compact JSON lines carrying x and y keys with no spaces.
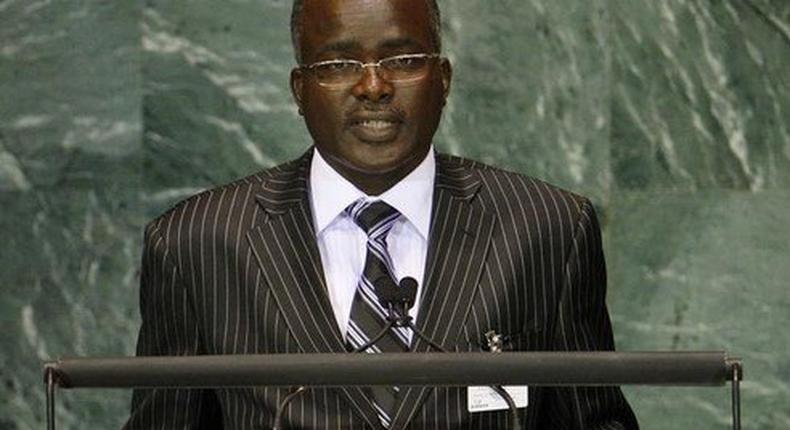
{"x":673,"y":115}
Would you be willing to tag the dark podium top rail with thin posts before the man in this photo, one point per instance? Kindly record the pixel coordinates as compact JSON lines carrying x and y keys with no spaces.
{"x":421,"y":369}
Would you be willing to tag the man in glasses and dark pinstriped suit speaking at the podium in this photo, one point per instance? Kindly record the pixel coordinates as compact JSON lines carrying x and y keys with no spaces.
{"x":277,"y":262}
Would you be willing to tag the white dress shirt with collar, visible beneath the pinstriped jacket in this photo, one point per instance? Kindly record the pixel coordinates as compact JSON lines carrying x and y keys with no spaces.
{"x":343,"y":244}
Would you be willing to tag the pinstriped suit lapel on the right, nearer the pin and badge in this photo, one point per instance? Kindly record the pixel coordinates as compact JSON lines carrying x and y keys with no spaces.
{"x":460,"y":237}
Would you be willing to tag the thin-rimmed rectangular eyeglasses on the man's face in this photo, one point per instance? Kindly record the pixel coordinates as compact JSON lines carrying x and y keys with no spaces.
{"x":342,"y":72}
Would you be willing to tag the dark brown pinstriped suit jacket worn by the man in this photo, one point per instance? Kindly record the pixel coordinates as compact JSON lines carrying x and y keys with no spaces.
{"x":236,"y":270}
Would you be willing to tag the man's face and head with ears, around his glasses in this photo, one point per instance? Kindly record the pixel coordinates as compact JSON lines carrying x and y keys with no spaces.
{"x":372,"y":131}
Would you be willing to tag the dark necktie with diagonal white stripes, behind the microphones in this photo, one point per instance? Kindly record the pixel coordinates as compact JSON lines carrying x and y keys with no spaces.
{"x":368,"y":317}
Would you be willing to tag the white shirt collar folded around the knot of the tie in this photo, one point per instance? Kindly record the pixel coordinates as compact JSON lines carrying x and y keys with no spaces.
{"x":330,"y":193}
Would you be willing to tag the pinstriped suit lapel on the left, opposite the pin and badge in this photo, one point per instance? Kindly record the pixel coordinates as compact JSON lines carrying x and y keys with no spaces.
{"x":285,"y":248}
